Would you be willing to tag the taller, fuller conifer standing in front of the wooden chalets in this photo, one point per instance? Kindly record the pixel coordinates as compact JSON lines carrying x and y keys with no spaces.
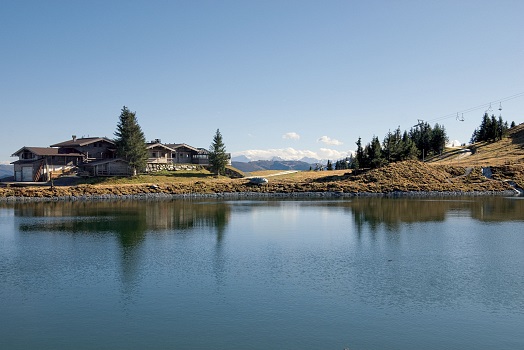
{"x":130,"y":141}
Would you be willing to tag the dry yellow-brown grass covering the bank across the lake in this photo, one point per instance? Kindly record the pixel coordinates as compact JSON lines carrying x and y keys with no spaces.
{"x":403,"y":176}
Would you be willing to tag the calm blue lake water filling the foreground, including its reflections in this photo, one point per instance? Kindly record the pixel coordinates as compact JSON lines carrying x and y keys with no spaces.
{"x":368,"y":273}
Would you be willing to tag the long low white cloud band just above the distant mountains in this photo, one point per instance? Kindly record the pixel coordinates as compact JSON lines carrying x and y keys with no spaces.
{"x":293,"y":154}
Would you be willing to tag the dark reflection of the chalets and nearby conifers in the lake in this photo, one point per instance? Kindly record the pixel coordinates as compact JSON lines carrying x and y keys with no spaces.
{"x":130,"y":220}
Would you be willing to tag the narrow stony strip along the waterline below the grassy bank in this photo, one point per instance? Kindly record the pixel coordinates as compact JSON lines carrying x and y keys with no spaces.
{"x":256,"y":195}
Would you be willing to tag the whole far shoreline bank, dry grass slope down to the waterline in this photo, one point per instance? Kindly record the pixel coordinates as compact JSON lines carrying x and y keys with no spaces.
{"x":405,"y":179}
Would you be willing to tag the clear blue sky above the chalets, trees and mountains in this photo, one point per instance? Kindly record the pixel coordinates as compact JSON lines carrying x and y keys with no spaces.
{"x":285,"y":78}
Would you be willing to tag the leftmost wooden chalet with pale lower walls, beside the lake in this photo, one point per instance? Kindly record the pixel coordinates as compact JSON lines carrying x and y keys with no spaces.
{"x":38,"y":163}
